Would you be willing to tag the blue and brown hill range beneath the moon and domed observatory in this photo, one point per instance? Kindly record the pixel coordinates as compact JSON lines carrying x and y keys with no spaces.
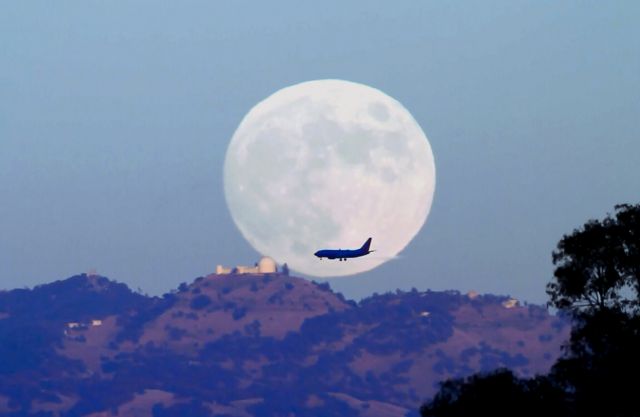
{"x":253,"y":345}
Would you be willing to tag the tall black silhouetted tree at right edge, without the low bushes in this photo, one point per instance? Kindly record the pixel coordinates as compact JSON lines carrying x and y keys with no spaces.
{"x":597,"y":281}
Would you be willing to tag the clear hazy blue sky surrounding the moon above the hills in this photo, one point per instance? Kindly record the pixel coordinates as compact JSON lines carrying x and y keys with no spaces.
{"x":115,"y":117}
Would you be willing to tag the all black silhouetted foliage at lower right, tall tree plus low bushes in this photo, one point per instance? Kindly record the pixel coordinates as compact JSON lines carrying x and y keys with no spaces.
{"x":596,"y":281}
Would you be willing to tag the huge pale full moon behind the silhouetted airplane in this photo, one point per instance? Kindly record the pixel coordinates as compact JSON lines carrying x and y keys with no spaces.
{"x":327,"y":164}
